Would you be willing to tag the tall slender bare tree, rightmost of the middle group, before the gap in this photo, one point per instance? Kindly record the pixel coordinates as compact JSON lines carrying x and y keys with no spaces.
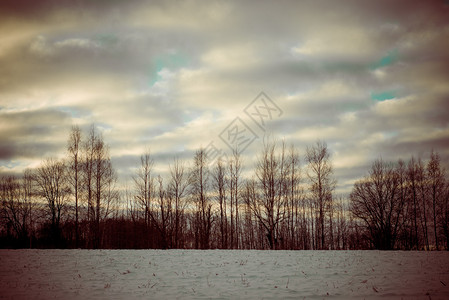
{"x":322,"y":184}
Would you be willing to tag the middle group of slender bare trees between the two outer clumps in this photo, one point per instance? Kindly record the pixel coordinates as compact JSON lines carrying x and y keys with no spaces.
{"x":215,"y":206}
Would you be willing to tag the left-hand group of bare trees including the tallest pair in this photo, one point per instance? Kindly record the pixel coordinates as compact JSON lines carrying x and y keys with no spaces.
{"x":47,"y":200}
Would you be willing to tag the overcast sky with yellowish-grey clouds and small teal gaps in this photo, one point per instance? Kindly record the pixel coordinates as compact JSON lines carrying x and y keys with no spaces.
{"x":370,"y":78}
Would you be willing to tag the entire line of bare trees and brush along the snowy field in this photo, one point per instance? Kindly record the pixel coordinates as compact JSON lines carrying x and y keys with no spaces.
{"x":287,"y":202}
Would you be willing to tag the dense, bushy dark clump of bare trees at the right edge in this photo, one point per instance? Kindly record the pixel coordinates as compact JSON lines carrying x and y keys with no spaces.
{"x":404,"y":205}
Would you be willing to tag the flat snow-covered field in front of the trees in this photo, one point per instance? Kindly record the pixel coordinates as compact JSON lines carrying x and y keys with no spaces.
{"x":192,"y":274}
